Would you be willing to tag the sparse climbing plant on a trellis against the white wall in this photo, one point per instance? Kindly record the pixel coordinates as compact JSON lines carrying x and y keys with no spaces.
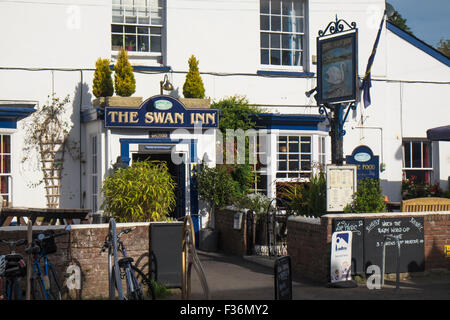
{"x":47,"y":133}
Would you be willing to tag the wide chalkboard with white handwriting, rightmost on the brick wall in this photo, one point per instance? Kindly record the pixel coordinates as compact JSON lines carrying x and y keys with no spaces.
{"x":410,"y":232}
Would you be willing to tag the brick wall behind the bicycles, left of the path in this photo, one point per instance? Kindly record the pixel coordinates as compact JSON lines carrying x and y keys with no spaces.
{"x":82,"y":247}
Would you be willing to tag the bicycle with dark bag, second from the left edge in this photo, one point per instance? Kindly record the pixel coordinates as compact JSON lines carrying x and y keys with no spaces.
{"x":44,"y":282}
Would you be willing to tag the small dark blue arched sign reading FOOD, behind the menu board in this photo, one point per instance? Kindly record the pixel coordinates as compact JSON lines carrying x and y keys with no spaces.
{"x":367,"y":165}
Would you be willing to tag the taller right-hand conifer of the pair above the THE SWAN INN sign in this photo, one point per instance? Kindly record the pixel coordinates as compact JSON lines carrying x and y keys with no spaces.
{"x":124,"y":82}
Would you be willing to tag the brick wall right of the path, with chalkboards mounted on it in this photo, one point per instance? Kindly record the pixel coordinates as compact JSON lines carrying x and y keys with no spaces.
{"x":309,"y":242}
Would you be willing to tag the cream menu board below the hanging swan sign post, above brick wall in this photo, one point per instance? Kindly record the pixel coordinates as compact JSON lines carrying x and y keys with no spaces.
{"x":341,"y":185}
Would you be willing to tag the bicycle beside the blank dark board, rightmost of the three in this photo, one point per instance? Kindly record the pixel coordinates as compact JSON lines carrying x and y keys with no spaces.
{"x":138,"y":284}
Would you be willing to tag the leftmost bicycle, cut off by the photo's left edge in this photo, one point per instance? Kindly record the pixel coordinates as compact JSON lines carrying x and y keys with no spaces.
{"x":13,"y":268}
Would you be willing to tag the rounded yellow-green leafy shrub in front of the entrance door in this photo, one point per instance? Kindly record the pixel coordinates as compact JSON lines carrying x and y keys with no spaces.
{"x":141,"y":192}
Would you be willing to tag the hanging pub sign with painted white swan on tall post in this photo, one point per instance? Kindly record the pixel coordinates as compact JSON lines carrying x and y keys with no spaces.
{"x":337,"y":68}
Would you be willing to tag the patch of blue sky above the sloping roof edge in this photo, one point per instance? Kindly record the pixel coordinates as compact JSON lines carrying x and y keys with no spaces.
{"x":429,"y":20}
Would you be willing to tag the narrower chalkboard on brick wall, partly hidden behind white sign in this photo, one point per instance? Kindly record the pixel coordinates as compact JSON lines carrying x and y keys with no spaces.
{"x":356,"y":226}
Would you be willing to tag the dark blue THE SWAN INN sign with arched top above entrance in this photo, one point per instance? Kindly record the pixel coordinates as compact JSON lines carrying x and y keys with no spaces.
{"x":161,"y":112}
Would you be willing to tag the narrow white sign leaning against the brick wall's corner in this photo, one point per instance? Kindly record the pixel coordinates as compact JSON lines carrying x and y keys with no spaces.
{"x":341,"y":256}
